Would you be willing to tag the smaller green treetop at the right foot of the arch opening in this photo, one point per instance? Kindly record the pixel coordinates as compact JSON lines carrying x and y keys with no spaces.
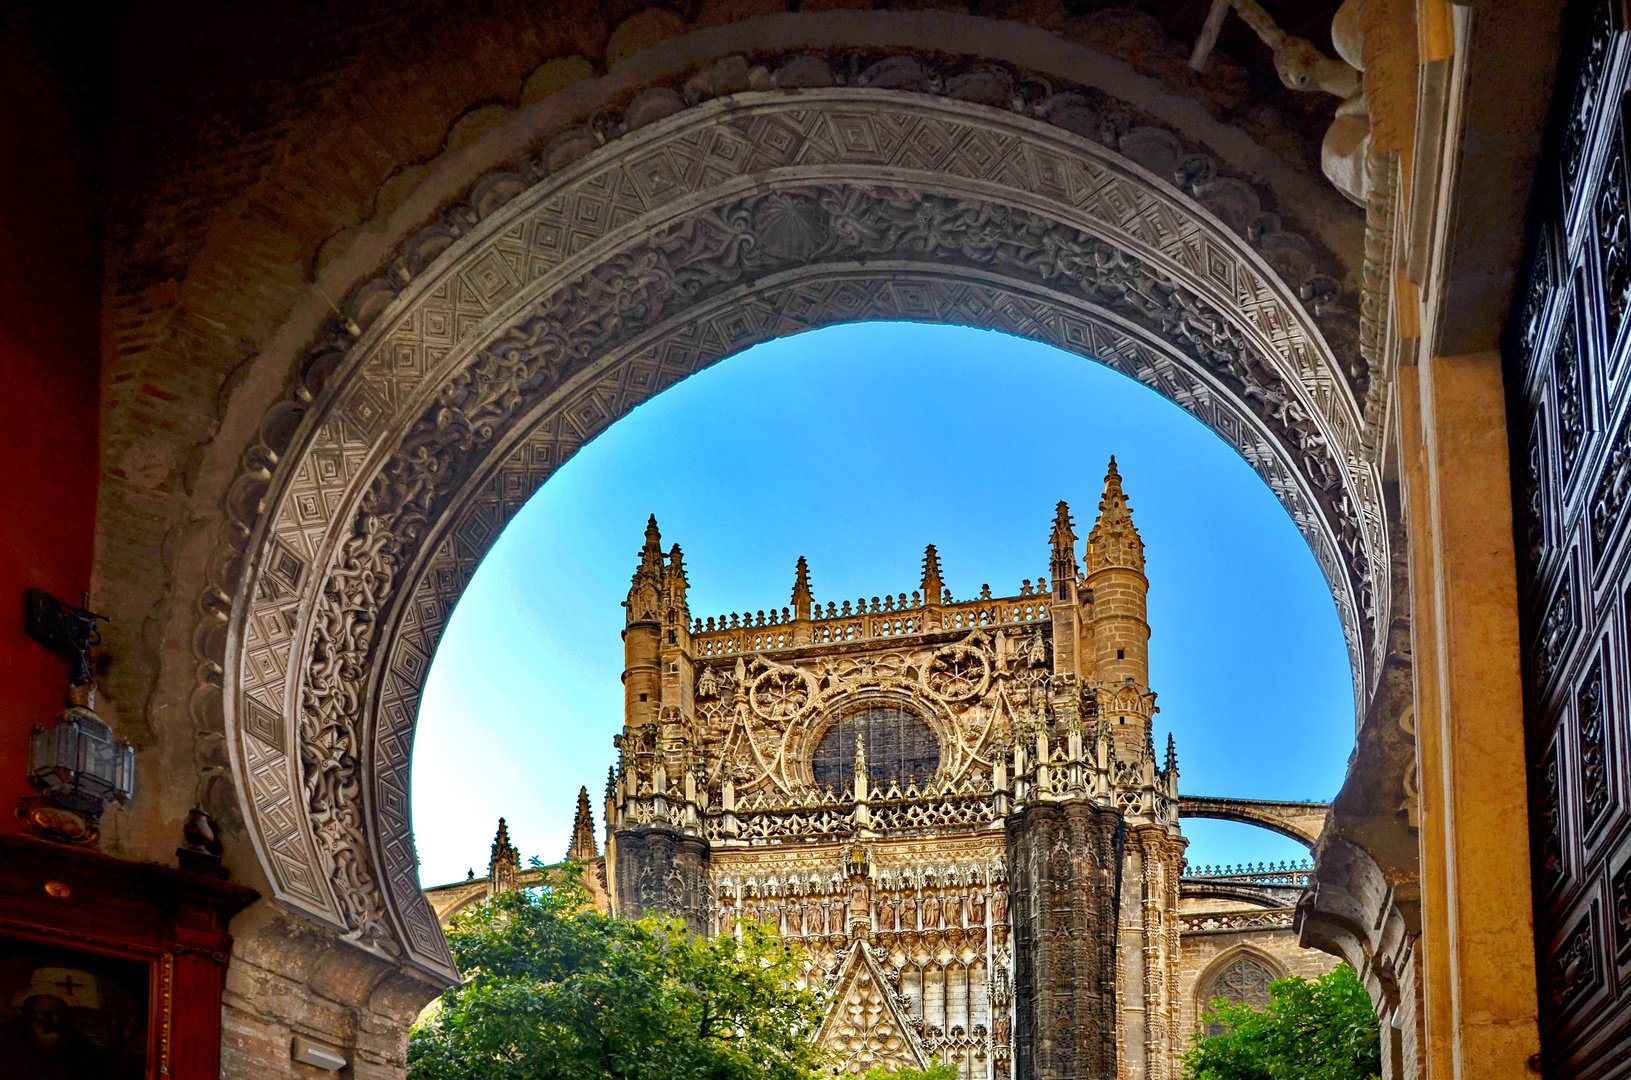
{"x":1320,"y":1030}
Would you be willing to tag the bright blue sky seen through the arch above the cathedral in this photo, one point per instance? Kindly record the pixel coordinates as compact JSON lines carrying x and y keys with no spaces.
{"x":857,"y":446}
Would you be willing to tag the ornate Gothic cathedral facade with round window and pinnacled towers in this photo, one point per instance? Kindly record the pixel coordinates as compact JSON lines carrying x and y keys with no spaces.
{"x":957,"y":807}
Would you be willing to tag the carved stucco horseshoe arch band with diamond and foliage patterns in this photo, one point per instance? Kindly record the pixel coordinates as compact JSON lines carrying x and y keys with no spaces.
{"x":702,"y":234}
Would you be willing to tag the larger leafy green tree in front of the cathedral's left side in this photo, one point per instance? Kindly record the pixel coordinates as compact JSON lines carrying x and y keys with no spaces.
{"x":557,"y":991}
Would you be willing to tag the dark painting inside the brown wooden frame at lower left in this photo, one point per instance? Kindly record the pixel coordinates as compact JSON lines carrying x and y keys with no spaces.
{"x":73,"y":1016}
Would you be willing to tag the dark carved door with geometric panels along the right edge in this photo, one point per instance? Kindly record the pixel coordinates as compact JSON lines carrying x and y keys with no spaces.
{"x":1570,"y":363}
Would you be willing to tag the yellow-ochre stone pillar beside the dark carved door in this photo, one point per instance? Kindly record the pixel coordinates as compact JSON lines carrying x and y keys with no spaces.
{"x":1475,"y":861}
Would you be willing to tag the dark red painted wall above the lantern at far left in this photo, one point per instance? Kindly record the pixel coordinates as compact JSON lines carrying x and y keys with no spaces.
{"x":51,"y":198}
